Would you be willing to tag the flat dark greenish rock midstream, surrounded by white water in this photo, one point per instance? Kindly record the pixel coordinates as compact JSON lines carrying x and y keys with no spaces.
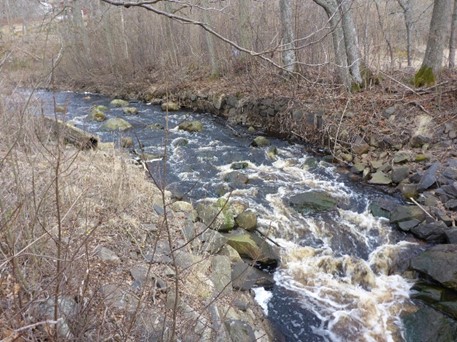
{"x":312,"y":201}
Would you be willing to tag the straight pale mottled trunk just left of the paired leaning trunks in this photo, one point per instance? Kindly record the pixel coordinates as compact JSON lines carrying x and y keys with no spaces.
{"x":288,"y":38}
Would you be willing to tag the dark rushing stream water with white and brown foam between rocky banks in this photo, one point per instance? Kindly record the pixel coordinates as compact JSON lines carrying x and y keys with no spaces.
{"x":337,"y":280}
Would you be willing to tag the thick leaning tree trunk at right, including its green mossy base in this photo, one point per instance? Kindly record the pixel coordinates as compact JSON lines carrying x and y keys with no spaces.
{"x":436,"y":42}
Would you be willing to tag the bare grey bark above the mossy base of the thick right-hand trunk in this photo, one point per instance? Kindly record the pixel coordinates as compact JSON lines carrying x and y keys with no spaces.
{"x":436,"y":38}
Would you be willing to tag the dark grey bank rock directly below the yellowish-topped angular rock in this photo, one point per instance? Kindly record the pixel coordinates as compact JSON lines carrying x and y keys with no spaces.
{"x":245,"y":277}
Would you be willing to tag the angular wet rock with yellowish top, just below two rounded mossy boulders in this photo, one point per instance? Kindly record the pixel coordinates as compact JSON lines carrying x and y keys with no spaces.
{"x":252,"y":246}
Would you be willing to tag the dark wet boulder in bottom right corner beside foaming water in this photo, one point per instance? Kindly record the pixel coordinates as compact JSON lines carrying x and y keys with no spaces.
{"x":427,"y":325}
